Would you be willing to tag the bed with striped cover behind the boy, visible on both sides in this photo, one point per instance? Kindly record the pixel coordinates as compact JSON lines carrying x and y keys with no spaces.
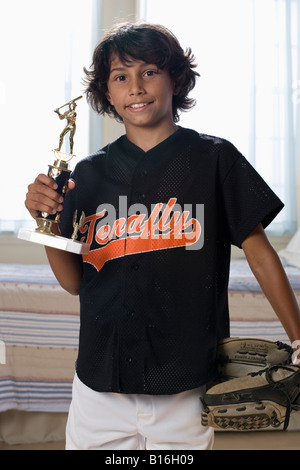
{"x":39,"y":324}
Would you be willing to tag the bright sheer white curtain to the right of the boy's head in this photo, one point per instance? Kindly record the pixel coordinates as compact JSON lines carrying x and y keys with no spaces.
{"x":248,"y":57}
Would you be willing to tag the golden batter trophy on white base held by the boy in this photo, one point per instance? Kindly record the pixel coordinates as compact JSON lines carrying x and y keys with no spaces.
{"x":60,"y":173}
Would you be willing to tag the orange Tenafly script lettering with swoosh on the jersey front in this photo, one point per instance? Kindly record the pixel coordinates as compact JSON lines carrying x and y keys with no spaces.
{"x":166,"y":227}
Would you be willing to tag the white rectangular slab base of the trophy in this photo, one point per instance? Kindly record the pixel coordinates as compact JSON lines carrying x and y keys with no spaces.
{"x":54,"y":241}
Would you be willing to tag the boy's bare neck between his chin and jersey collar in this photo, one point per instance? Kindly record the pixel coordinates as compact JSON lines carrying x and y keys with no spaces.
{"x":147,"y":138}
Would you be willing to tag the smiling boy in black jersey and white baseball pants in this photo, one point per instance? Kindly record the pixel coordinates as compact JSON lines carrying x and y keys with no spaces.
{"x":153,"y":288}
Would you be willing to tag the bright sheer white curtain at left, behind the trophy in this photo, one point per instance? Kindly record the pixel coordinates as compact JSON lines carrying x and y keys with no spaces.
{"x":44,"y":46}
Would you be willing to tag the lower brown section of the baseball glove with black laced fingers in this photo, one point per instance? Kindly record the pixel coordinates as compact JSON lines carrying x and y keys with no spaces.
{"x":258,"y":400}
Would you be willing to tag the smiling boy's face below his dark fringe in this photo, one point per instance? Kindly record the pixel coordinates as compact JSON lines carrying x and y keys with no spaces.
{"x":141,"y":94}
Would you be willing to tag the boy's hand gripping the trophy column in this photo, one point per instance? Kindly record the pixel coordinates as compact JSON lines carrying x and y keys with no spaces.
{"x":42,"y":196}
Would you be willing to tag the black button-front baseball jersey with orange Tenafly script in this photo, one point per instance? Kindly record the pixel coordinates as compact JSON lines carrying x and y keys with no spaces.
{"x":153,"y":297}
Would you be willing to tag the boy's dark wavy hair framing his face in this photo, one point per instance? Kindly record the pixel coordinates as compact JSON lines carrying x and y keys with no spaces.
{"x":151,"y":43}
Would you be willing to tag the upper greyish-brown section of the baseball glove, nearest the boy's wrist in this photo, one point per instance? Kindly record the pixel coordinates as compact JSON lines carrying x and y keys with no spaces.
{"x":238,"y":357}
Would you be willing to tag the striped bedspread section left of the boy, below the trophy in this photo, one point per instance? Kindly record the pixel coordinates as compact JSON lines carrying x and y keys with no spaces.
{"x":39,"y":325}
